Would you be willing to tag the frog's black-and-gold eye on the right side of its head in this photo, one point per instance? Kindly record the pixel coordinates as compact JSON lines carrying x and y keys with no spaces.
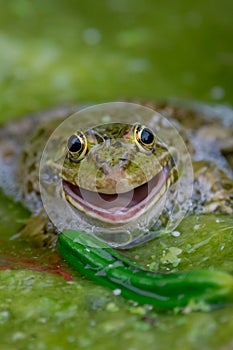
{"x":144,"y":138}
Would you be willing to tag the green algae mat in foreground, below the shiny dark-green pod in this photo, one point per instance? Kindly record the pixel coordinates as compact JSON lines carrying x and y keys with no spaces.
{"x":41,"y":311}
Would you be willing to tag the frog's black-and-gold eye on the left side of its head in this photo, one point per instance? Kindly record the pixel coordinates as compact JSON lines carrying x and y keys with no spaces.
{"x":77,"y":146}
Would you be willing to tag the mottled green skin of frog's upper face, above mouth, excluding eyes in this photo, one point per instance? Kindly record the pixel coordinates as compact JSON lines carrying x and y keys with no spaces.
{"x":114,"y":155}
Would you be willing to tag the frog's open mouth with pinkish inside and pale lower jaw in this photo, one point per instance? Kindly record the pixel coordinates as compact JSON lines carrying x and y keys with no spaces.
{"x":118,"y":208}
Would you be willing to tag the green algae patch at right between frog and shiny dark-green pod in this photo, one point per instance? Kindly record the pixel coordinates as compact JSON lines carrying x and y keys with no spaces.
{"x":204,"y":241}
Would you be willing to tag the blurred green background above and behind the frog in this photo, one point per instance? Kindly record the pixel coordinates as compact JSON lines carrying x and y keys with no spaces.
{"x":57,"y":52}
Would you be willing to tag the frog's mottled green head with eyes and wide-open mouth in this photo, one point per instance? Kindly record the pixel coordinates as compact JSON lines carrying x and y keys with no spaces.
{"x":115,"y":172}
